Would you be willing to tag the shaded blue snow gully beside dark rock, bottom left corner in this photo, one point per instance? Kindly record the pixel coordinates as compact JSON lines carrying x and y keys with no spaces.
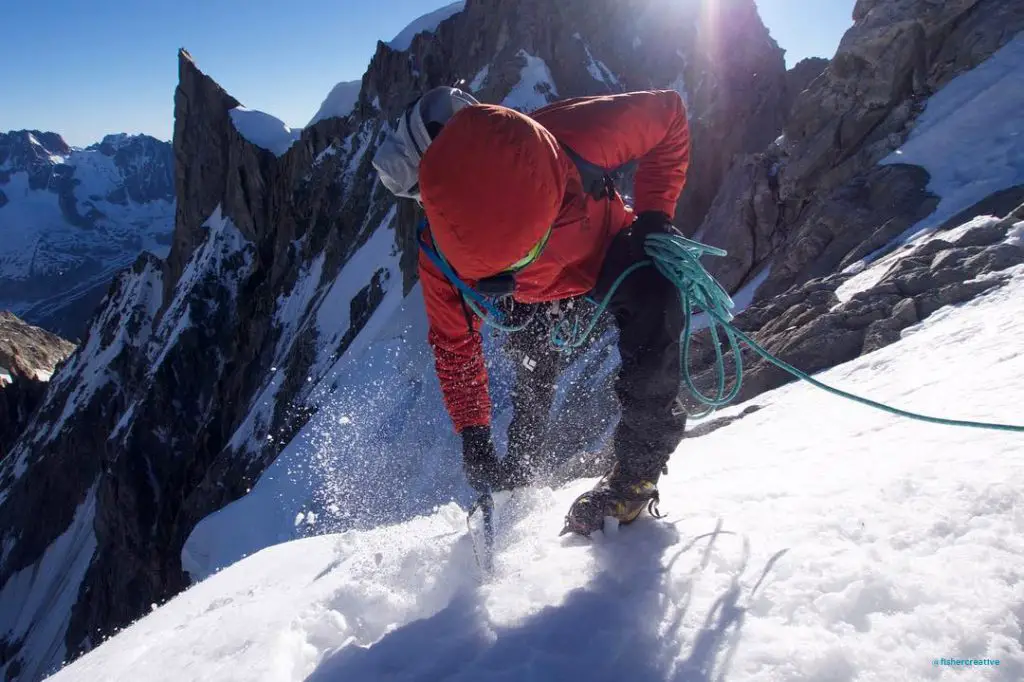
{"x":36,"y":604}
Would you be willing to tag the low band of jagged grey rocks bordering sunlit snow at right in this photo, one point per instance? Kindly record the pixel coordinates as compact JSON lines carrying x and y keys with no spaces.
{"x":837,"y":318}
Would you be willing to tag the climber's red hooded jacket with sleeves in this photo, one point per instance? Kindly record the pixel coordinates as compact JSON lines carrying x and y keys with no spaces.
{"x":495,"y":181}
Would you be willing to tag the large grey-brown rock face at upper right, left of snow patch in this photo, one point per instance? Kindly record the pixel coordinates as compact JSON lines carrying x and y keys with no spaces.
{"x":817,"y":201}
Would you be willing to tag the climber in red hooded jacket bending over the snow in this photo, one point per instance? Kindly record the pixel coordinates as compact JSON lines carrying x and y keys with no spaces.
{"x":517,"y":212}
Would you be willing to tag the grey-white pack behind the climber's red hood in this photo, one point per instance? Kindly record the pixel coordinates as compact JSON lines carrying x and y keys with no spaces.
{"x":398,"y":160}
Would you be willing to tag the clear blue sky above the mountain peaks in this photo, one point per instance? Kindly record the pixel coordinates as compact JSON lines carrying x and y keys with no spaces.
{"x":87,"y":68}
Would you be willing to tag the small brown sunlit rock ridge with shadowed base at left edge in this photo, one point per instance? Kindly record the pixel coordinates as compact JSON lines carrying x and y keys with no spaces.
{"x":28,"y":357}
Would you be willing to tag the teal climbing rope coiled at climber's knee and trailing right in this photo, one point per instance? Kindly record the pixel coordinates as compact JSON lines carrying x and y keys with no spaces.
{"x":678,"y":260}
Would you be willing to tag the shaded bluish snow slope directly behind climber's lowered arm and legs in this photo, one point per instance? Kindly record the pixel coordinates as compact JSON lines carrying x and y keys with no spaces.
{"x":354,"y":467}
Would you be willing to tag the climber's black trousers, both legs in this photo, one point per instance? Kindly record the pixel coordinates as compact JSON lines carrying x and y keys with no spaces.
{"x":648,"y":312}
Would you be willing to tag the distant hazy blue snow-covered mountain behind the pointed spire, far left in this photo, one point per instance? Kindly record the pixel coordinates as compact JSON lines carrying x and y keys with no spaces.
{"x":73,"y":218}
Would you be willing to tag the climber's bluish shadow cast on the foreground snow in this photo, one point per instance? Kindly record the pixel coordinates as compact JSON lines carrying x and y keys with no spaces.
{"x":628,"y":624}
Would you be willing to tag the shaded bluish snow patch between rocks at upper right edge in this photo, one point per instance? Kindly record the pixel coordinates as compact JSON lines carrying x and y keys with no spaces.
{"x":970,"y":138}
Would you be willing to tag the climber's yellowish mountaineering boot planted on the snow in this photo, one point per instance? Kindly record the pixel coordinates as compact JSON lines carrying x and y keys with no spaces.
{"x":620,"y":495}
